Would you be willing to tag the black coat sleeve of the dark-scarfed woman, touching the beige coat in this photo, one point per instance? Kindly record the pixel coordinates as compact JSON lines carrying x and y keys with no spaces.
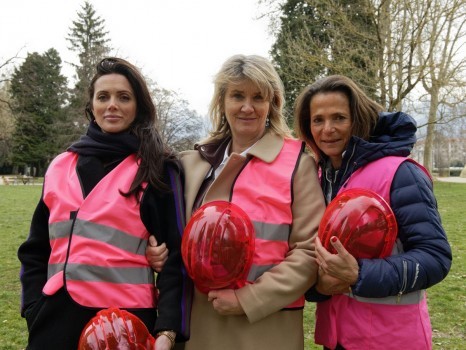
{"x":163,"y":215}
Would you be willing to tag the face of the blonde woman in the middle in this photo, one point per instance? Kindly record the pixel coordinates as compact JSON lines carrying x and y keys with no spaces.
{"x":246,"y":111}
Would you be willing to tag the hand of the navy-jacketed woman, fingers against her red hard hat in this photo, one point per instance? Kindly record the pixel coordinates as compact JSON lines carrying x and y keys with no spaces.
{"x":342,"y":265}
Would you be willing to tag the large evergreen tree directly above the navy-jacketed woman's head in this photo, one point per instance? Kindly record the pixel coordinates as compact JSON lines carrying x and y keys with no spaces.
{"x":323,"y":37}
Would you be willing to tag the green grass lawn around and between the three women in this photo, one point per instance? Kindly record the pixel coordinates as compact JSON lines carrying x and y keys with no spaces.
{"x":447,"y":300}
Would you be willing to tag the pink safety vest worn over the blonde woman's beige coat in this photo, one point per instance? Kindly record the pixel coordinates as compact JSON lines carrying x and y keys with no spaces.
{"x":264,"y":191}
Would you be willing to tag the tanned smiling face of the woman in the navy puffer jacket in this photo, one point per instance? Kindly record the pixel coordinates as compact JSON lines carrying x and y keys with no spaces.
{"x":331,"y":124}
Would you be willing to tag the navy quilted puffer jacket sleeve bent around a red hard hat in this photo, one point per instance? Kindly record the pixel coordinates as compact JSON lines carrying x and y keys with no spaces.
{"x":426,"y":254}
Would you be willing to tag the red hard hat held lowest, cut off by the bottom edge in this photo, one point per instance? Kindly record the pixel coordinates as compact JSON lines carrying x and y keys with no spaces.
{"x":112,"y":329}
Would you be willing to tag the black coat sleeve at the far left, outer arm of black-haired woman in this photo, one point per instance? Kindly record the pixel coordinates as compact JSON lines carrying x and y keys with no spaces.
{"x":34,"y":255}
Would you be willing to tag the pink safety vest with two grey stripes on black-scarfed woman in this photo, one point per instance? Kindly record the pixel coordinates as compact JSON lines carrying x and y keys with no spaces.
{"x":98,"y":243}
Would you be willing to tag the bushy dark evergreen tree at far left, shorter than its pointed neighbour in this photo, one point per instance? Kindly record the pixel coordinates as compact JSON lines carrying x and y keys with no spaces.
{"x":38,"y":91}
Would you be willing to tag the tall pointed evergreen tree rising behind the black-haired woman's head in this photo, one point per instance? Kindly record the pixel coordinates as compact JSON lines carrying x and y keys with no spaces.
{"x":89,"y":39}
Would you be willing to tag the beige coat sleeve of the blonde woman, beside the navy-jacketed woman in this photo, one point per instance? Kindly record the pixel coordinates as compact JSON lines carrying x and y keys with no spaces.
{"x":289,"y":280}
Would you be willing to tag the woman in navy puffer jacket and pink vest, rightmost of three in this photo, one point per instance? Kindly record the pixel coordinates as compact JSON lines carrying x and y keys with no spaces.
{"x":375,"y":303}
